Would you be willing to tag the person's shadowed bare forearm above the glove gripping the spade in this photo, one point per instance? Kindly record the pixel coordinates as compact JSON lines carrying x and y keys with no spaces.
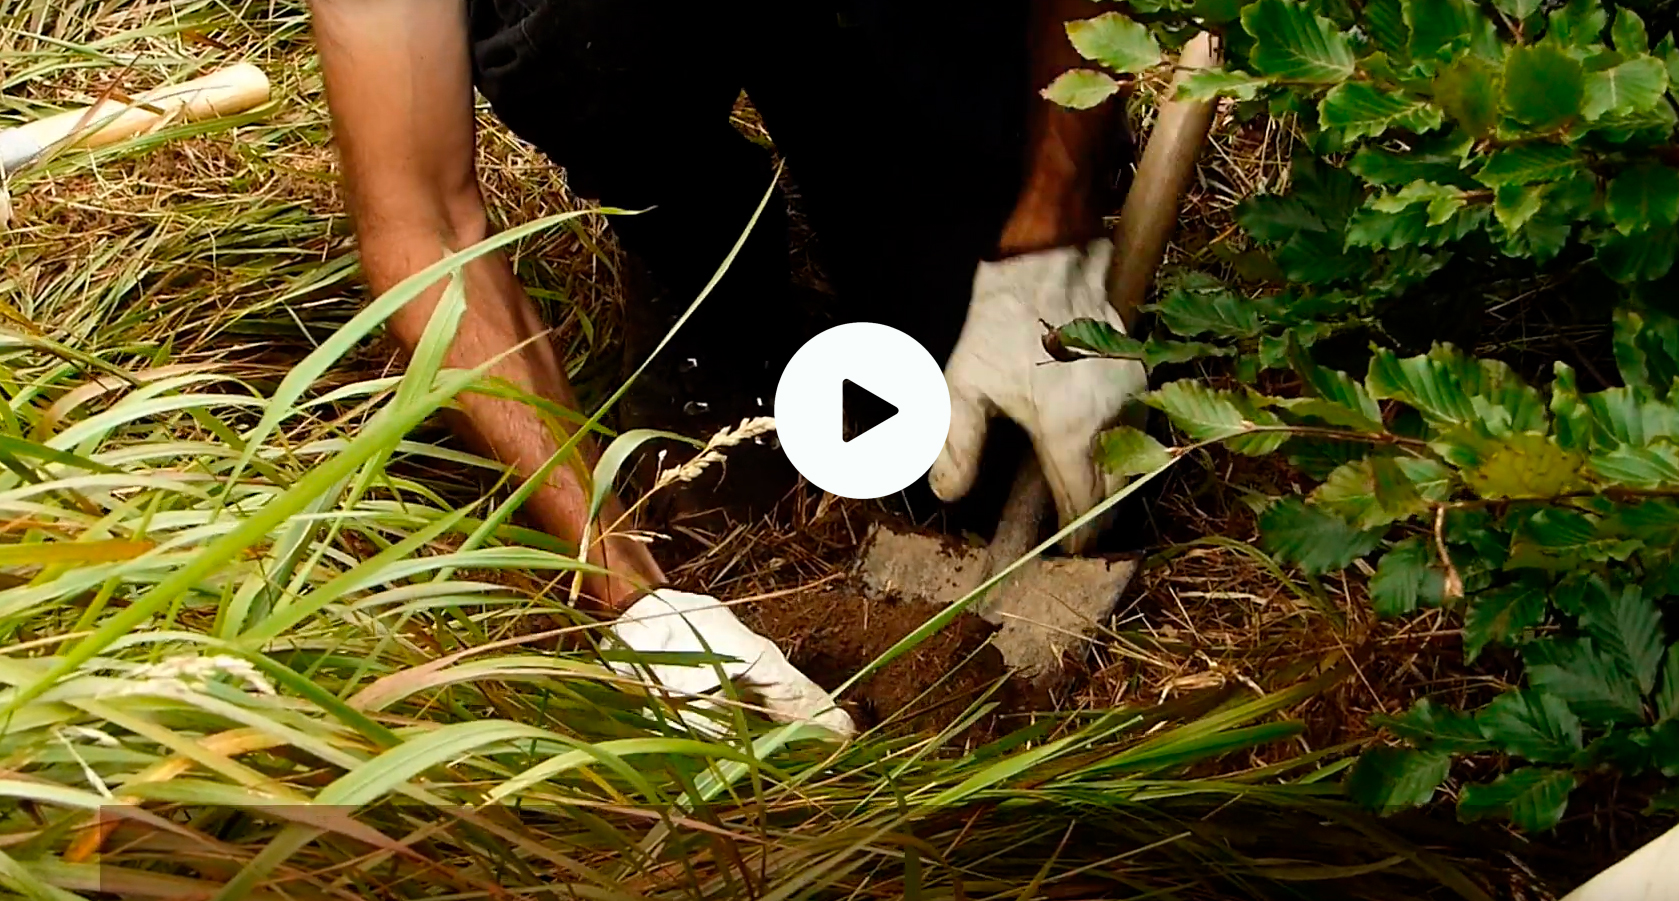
{"x":1065,"y":147}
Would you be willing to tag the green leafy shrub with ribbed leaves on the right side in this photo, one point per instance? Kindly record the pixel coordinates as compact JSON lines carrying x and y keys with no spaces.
{"x":1458,"y":155}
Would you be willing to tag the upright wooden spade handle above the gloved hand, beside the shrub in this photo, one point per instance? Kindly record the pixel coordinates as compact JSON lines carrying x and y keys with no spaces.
{"x":1153,"y":204}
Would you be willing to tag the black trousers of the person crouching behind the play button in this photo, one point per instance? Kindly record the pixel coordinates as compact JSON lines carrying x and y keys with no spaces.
{"x":902,"y":125}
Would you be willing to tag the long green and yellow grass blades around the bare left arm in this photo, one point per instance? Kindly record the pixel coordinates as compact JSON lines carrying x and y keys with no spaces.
{"x":251,"y":650}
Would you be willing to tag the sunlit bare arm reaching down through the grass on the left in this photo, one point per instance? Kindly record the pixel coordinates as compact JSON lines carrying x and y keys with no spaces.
{"x":399,"y":85}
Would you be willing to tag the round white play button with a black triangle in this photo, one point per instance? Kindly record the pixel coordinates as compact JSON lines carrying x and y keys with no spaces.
{"x":887,"y":382}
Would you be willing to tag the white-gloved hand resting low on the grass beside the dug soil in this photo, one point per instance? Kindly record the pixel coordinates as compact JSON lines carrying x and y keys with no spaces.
{"x":694,"y":623}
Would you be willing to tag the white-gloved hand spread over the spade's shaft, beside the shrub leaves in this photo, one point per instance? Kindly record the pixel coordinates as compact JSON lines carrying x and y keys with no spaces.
{"x":1000,"y":367}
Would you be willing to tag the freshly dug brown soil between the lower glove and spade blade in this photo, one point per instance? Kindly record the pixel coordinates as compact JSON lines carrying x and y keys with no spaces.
{"x":832,"y":635}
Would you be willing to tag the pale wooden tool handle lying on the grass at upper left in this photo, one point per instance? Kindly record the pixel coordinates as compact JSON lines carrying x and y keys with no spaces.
{"x":222,"y":93}
